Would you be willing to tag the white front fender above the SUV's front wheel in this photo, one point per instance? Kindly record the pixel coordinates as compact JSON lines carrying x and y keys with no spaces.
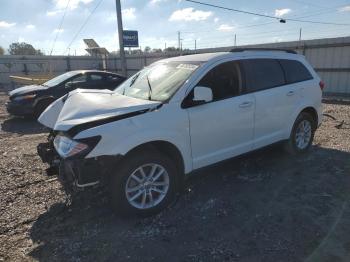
{"x":166,"y":124}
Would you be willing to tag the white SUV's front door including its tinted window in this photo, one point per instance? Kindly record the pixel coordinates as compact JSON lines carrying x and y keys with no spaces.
{"x":222,"y":128}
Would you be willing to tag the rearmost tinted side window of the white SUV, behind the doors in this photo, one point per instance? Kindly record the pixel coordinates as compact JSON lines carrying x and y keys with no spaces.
{"x":295,"y":71}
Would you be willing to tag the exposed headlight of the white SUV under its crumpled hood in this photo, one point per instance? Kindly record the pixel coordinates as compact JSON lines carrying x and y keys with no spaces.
{"x":68,"y":147}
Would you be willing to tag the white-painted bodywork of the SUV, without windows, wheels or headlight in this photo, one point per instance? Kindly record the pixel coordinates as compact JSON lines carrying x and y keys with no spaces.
{"x":203,"y":134}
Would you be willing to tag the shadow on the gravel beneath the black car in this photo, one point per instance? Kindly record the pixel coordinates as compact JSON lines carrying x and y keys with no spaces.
{"x":23,"y":126}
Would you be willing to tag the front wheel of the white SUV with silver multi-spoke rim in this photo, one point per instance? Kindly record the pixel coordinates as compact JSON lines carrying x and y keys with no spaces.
{"x":145,"y":184}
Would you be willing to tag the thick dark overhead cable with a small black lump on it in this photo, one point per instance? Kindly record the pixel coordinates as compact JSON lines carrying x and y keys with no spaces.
{"x":282,"y":20}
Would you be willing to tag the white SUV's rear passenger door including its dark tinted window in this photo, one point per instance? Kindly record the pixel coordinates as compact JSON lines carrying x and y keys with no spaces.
{"x":275,"y":100}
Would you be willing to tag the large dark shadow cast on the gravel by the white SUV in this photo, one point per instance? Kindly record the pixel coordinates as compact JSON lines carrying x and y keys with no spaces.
{"x":263,"y":206}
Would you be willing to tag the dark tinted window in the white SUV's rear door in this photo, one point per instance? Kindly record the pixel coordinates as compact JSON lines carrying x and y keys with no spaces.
{"x":263,"y":74}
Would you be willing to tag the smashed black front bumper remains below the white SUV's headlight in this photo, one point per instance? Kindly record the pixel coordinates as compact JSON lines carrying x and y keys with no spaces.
{"x":76,"y":173}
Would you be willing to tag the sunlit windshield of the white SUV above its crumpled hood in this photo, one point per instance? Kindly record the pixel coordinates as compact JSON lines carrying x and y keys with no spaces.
{"x":157,"y":82}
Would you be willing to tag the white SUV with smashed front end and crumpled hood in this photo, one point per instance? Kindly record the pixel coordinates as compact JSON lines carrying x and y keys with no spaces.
{"x":178,"y":115}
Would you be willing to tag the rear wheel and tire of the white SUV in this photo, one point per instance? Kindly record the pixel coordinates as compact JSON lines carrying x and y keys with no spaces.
{"x":302,"y":134}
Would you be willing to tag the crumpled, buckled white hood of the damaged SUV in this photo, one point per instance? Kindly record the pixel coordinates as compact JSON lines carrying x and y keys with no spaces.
{"x":83,"y":106}
